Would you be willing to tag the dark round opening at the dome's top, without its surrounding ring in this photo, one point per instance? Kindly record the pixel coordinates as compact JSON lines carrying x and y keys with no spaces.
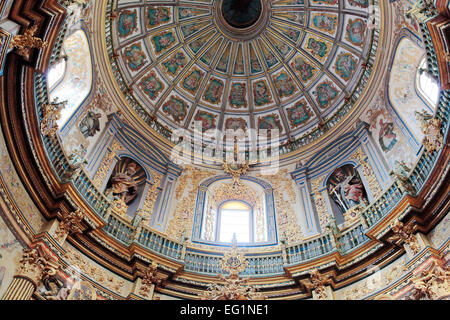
{"x":241,"y":13}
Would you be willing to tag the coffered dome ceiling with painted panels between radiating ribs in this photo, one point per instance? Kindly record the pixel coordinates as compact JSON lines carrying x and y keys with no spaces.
{"x":241,"y":64}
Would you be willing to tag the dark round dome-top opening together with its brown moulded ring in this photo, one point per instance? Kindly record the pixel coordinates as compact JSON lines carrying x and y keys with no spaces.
{"x":242,"y":19}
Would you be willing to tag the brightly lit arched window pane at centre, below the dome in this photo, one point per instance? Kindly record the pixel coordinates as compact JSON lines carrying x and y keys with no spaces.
{"x":235,"y":218}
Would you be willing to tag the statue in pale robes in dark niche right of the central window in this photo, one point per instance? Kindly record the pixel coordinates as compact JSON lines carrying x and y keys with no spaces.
{"x":346,"y":189}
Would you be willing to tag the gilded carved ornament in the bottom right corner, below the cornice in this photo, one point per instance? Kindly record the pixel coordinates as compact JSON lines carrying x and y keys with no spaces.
{"x":432,"y":283}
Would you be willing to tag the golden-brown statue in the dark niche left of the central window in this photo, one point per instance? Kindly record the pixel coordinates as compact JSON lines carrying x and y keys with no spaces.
{"x":125,"y":181}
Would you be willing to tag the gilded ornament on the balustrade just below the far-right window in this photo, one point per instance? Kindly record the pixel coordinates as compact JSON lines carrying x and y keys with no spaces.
{"x":431,"y":128}
